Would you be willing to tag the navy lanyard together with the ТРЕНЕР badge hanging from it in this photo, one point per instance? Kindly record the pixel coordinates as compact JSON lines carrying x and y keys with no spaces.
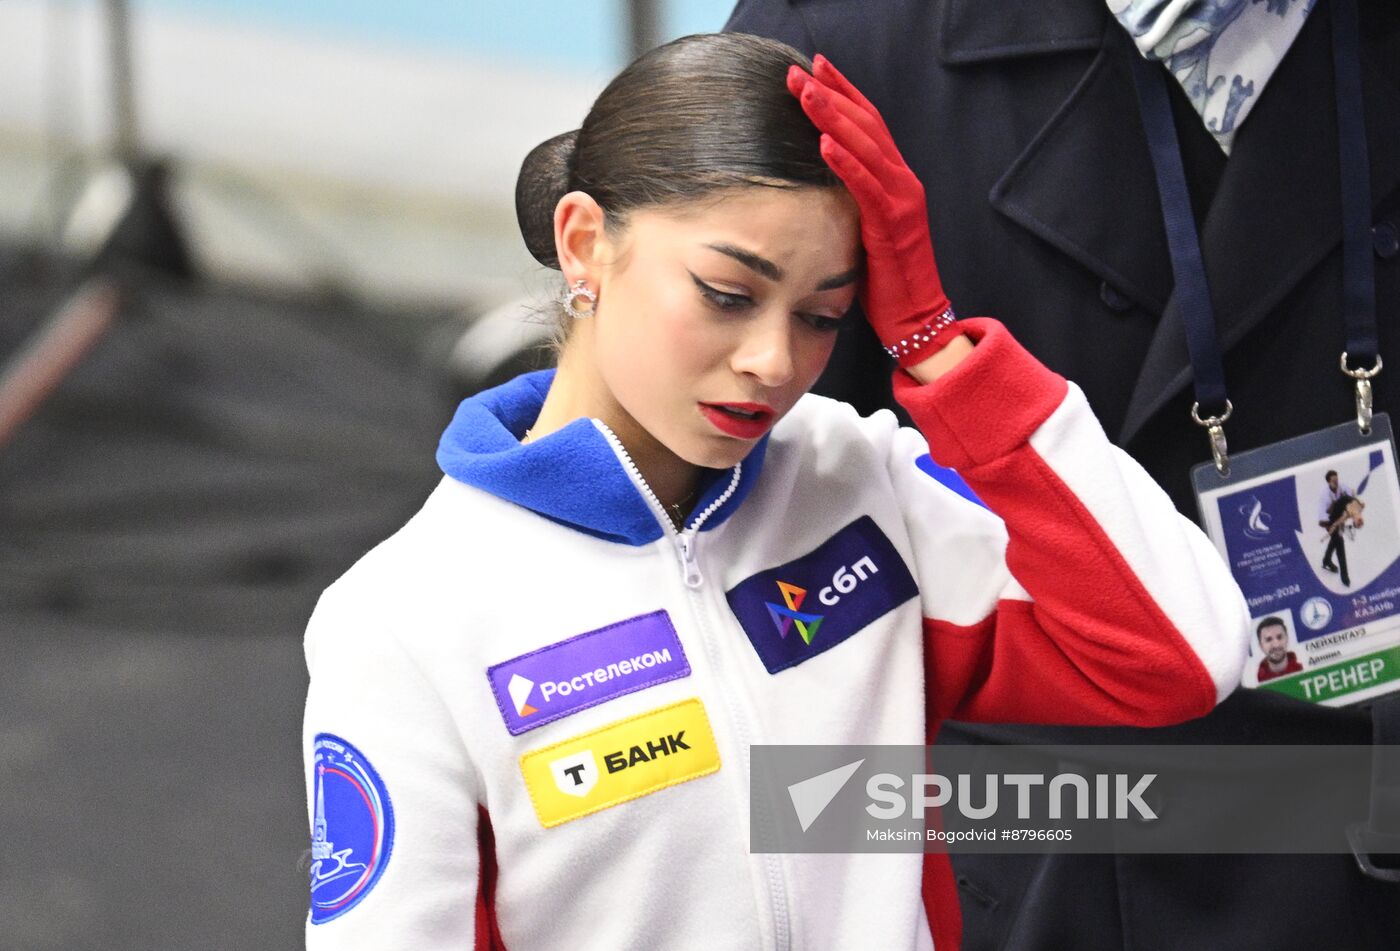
{"x":1335,"y":595}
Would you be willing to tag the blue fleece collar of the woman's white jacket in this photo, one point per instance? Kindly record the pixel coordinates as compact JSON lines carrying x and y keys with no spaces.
{"x":570,"y":477}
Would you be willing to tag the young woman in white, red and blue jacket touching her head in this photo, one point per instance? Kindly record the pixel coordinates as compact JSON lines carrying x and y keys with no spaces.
{"x":531,"y":709}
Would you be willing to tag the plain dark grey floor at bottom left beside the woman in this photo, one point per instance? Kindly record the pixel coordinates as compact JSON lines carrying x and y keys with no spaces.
{"x":152,"y":789}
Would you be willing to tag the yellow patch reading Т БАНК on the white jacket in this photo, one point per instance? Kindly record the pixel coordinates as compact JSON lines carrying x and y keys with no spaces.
{"x":622,"y":761}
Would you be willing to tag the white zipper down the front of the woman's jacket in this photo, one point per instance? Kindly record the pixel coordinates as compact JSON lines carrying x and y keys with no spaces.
{"x":685,"y":546}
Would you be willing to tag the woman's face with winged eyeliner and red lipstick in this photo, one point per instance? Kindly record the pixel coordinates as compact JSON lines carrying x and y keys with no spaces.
{"x":715,"y":319}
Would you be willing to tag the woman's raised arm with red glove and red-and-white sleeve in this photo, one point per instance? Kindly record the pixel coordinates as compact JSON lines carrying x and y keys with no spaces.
{"x":1105,"y":606}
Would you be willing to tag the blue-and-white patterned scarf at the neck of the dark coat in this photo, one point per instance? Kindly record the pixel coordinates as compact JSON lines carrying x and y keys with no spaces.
{"x":1223,"y":53}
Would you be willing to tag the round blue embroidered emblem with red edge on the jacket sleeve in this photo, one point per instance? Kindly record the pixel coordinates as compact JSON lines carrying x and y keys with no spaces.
{"x":352,"y":831}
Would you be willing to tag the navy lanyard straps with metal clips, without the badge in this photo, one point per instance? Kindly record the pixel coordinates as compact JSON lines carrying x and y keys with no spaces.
{"x":1184,"y":243}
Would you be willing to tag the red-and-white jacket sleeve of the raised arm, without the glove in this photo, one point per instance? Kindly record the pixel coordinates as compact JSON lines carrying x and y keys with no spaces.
{"x":1114,"y":609}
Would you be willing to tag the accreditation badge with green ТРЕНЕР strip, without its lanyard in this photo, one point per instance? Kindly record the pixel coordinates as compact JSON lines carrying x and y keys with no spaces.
{"x":1311,"y":530}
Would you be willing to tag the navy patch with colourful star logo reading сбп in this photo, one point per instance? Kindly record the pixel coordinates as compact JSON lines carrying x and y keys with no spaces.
{"x":803,"y":609}
